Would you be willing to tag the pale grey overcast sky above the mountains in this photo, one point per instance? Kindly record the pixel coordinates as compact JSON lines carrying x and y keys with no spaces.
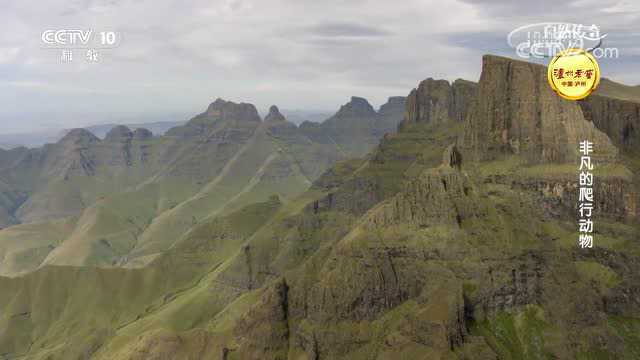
{"x":178,"y":56}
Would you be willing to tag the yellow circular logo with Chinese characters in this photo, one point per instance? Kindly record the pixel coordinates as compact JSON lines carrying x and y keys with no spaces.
{"x":573,"y":74}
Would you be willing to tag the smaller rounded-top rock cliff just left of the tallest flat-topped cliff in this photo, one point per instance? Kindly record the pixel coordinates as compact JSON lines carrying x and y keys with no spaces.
{"x":438,"y":101}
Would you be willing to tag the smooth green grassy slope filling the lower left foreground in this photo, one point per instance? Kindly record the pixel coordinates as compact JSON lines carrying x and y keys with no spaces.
{"x":42,"y":317}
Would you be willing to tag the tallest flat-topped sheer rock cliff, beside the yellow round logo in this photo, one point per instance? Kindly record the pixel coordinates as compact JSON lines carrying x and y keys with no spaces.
{"x":517,"y":112}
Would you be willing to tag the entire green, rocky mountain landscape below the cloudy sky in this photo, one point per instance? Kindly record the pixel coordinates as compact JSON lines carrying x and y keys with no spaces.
{"x":240,"y":238}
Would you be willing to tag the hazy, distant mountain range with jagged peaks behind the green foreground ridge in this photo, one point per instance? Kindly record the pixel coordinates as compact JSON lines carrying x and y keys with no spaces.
{"x":126,"y":198}
